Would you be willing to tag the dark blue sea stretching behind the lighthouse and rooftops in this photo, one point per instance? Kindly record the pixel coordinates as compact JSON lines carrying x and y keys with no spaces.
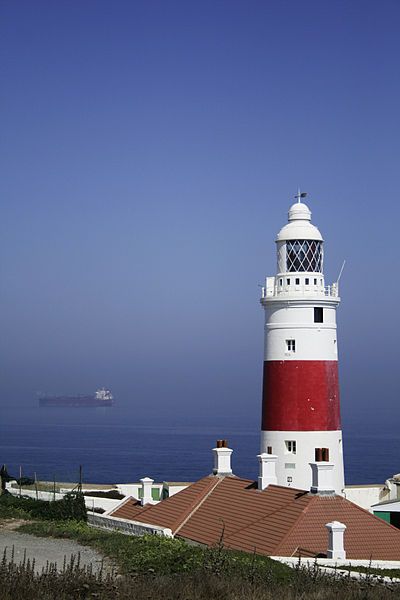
{"x":113,"y":447}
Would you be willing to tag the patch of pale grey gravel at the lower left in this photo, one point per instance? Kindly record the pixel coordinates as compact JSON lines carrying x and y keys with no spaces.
{"x":45,"y":550}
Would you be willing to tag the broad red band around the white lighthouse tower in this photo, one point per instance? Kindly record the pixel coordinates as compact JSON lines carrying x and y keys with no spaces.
{"x":301,"y":396}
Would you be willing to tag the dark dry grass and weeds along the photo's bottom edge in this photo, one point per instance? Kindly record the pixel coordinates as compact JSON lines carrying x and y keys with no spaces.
{"x":72,"y":582}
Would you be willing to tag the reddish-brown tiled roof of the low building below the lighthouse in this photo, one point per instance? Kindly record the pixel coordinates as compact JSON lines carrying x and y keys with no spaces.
{"x":276,"y":521}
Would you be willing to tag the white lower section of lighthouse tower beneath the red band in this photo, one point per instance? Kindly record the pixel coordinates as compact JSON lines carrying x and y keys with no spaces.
{"x":296,"y":450}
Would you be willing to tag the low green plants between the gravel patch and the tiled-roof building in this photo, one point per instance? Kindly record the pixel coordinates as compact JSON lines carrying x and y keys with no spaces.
{"x":162,"y":556}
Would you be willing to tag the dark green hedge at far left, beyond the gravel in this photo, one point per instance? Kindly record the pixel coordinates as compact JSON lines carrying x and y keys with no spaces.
{"x":72,"y":506}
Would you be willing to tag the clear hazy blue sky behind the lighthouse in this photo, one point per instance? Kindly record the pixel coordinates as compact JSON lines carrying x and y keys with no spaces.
{"x":149,"y":154}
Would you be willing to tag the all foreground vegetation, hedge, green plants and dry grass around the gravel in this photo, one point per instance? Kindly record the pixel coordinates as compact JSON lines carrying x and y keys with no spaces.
{"x":152,"y":566}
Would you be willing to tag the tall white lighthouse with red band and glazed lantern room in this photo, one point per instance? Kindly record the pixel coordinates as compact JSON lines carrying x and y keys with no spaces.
{"x":301,"y":406}
